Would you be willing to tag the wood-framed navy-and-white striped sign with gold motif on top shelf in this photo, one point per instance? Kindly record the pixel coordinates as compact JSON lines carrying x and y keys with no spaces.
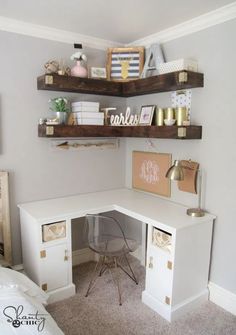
{"x":124,"y":64}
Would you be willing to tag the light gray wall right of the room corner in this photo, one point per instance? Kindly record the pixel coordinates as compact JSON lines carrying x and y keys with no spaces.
{"x":213,"y":107}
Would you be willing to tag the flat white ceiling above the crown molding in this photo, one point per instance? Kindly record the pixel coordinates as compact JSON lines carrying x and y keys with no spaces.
{"x":122,"y":21}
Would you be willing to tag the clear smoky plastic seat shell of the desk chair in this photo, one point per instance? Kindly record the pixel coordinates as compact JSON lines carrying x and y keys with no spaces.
{"x":105,"y":235}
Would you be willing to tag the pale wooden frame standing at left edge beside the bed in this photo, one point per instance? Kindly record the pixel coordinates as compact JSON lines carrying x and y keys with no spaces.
{"x":5,"y":230}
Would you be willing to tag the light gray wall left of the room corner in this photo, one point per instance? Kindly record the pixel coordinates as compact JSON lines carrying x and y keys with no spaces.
{"x":36,"y":172}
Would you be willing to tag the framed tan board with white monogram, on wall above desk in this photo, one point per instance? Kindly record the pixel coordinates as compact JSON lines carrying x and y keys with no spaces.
{"x":149,"y":170}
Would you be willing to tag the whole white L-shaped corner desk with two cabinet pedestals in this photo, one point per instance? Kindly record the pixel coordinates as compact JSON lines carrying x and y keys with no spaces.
{"x":175,"y":280}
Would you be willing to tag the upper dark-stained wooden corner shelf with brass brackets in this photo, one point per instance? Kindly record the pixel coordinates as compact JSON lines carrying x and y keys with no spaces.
{"x":161,"y":83}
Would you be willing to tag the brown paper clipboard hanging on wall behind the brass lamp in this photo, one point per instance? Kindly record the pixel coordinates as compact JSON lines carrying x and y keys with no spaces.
{"x":189,"y":184}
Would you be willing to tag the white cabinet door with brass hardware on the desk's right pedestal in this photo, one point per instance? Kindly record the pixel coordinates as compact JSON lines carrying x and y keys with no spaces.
{"x":159,"y":275}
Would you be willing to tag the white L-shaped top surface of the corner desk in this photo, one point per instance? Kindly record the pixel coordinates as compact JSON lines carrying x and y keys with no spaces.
{"x":139,"y":205}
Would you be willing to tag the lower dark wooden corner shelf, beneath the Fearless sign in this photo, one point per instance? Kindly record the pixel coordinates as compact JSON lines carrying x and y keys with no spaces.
{"x":167,"y":132}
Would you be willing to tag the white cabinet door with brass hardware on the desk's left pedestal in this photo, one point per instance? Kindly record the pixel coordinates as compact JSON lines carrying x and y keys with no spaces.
{"x":54,"y":267}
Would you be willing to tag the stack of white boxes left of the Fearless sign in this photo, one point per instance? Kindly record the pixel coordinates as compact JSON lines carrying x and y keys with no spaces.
{"x":87,"y":113}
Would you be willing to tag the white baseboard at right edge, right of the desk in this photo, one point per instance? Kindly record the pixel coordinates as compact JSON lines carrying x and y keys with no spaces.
{"x":222,"y":297}
